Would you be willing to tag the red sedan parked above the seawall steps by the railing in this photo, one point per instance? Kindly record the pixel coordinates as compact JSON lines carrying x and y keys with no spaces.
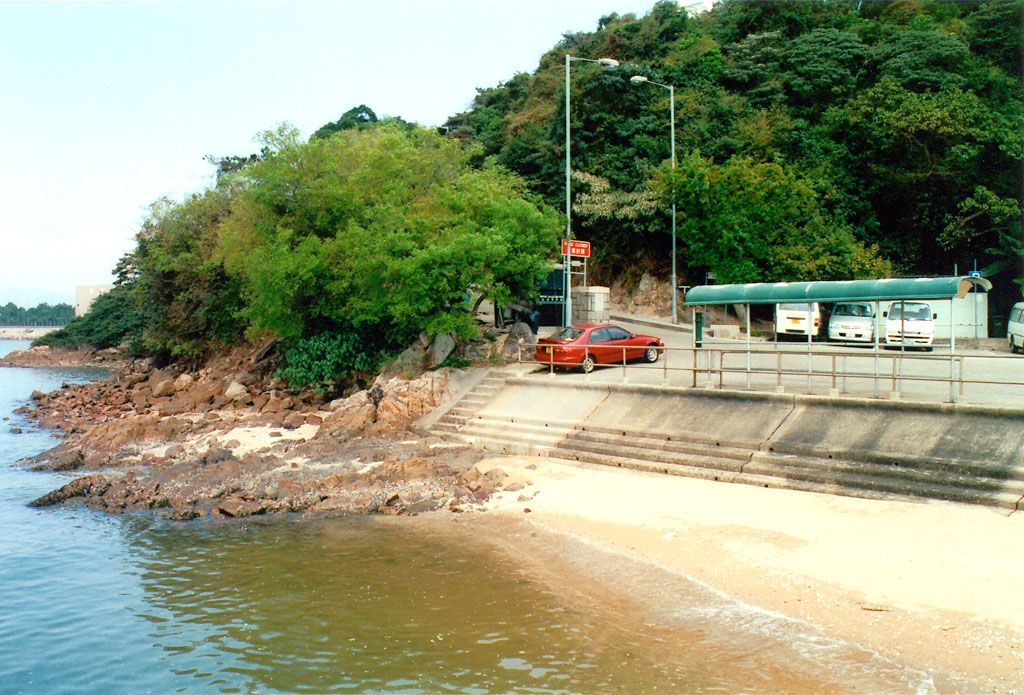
{"x":586,"y":345}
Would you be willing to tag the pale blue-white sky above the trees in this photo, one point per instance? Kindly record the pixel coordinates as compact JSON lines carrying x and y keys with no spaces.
{"x":109,"y":107}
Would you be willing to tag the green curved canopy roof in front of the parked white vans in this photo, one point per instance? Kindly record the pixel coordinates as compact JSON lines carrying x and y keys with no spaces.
{"x":836,"y":291}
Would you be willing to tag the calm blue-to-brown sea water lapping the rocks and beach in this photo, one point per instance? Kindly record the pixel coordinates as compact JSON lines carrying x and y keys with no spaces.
{"x":134,"y":604}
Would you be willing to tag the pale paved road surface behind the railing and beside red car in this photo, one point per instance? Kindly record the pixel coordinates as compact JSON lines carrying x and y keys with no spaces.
{"x":999,"y":378}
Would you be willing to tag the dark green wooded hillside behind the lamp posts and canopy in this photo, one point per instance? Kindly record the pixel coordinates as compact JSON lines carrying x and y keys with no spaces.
{"x":901,"y":121}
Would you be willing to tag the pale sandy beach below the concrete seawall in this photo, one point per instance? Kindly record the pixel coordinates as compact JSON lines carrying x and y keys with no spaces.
{"x":933,"y":588}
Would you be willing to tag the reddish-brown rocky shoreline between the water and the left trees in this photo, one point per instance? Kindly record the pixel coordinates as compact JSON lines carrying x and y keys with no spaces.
{"x":230,"y":441}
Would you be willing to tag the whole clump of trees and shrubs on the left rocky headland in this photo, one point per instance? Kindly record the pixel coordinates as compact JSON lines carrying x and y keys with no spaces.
{"x":347,"y":248}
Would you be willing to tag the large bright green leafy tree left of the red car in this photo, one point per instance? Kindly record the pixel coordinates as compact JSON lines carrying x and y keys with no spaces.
{"x":377,"y":236}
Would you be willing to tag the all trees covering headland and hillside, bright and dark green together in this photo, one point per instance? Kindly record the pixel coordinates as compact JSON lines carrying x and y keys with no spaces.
{"x":816,"y":141}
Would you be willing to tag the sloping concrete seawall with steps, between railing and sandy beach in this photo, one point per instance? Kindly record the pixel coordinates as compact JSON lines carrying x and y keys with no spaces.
{"x":849,"y":447}
